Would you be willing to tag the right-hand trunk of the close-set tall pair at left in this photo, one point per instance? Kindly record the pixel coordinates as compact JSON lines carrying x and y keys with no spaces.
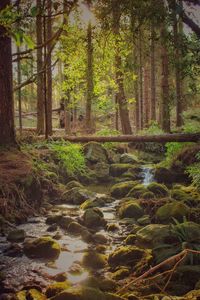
{"x":49,"y":72}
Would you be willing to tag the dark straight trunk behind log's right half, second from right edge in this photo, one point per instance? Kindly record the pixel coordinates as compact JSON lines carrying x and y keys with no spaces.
{"x":165,"y":112}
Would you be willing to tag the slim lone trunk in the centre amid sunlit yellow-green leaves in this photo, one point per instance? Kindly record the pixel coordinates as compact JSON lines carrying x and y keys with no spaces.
{"x":90,"y":85}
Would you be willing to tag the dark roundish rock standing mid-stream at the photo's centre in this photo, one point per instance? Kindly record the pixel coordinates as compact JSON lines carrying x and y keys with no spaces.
{"x":93,"y":217}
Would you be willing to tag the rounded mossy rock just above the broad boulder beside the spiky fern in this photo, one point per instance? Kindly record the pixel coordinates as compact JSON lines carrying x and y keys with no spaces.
{"x":175,"y":209}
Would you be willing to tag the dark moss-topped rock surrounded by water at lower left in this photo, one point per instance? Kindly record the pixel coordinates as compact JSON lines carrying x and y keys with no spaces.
{"x":44,"y":247}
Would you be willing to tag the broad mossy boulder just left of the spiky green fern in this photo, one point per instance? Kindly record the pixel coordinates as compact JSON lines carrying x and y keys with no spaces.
{"x":155,"y":234}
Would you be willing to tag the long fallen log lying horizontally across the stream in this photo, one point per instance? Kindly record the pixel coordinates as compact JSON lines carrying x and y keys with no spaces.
{"x":163,"y":138}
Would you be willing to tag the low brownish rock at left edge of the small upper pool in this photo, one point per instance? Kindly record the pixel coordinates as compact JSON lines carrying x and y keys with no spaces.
{"x":77,"y":196}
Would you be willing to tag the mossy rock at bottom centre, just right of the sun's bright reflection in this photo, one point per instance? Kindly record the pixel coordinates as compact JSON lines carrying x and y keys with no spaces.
{"x":94,"y":261}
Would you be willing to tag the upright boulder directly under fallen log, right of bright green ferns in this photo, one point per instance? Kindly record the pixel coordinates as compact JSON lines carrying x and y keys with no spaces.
{"x":95,"y":152}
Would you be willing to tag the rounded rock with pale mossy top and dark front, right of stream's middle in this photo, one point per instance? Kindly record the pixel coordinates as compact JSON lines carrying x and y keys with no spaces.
{"x":130,"y":209}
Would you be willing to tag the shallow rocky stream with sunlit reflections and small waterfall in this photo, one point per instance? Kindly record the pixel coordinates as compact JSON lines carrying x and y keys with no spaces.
{"x":20,"y":271}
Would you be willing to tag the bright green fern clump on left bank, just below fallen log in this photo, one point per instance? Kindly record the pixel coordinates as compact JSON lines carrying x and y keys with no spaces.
{"x":70,"y":156}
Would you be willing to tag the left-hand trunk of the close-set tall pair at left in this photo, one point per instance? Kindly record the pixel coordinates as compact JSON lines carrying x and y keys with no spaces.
{"x":40,"y":76}
